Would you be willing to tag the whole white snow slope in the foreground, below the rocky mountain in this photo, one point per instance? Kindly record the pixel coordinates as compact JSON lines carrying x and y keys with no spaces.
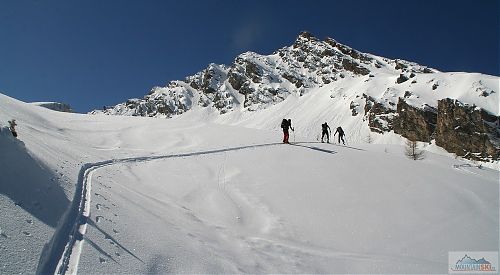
{"x":194,"y":194}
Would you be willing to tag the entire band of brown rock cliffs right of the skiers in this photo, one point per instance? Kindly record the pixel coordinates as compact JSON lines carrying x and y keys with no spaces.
{"x":465,"y":130}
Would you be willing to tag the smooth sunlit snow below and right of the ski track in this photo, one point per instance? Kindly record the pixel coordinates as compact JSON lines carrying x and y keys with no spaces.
{"x":246,"y":211}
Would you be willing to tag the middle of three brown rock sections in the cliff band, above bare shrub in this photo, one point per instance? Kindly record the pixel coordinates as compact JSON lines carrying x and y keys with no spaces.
{"x":414,"y":123}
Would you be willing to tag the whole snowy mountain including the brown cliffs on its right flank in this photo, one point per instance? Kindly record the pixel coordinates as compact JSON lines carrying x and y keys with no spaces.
{"x":459,"y":111}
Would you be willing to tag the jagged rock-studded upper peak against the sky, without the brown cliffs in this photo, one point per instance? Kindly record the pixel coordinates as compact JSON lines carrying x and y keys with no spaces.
{"x":256,"y":81}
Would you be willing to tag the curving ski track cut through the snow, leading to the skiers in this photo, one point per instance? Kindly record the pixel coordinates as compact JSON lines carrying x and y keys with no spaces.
{"x":62,"y":253}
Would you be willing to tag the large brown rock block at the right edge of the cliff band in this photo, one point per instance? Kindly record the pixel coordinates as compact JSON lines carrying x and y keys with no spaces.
{"x":467,"y":131}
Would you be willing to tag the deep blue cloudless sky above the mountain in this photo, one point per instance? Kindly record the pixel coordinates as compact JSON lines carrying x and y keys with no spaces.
{"x":102,"y":52}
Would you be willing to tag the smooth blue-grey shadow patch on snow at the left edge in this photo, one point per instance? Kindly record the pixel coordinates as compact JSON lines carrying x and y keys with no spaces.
{"x":28,"y":183}
